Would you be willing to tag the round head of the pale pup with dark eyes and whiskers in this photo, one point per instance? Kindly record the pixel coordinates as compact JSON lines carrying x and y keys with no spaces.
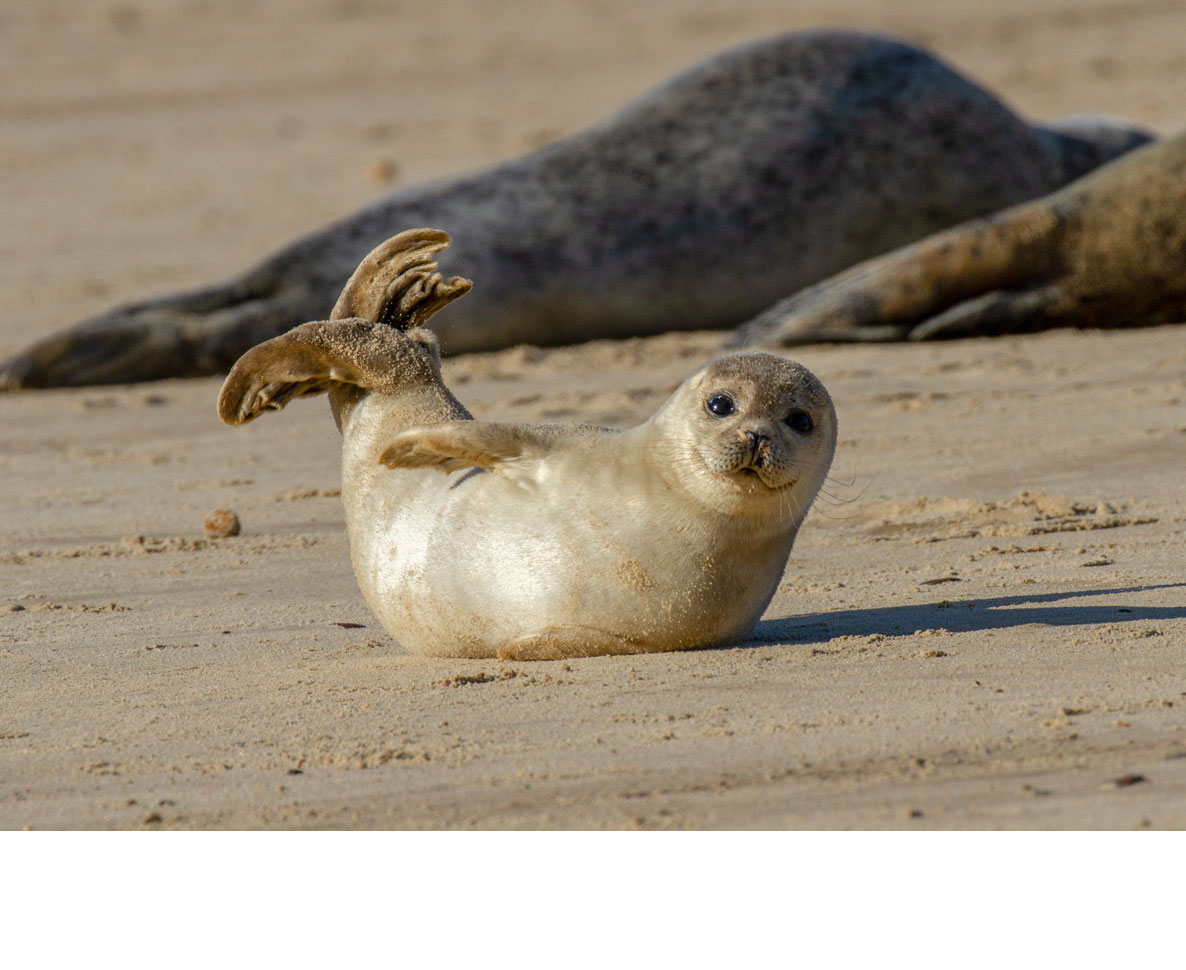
{"x":757,"y":432}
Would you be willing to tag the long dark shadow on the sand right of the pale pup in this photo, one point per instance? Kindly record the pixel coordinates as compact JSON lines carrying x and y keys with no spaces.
{"x":962,"y":617}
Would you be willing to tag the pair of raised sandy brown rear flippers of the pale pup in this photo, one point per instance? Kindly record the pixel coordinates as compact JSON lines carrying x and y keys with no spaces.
{"x":397,"y":289}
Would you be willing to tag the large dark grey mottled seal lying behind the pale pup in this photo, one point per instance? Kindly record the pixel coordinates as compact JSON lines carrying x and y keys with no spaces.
{"x":758,"y":173}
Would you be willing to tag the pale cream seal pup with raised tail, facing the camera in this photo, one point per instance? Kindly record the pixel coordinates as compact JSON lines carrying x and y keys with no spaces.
{"x":557,"y":541}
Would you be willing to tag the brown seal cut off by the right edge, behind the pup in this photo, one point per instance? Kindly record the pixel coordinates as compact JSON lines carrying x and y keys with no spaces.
{"x":1106,"y":251}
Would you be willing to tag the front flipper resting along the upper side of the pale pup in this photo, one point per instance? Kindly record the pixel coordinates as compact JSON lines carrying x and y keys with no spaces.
{"x":456,"y":445}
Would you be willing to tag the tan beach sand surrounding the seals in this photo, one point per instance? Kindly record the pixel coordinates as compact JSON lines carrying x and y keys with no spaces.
{"x":983,"y":627}
